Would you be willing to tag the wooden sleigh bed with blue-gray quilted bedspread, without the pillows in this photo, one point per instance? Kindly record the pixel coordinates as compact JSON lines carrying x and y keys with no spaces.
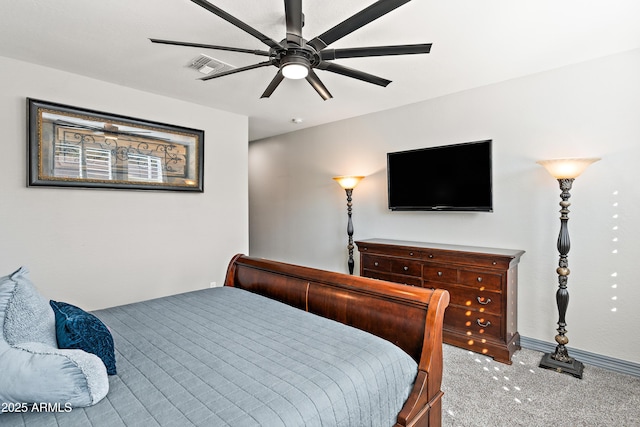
{"x":278,"y":344}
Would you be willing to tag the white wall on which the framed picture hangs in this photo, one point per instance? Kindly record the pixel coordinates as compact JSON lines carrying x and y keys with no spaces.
{"x":149,"y":244}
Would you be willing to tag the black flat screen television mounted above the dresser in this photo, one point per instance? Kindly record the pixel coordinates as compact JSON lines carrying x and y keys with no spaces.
{"x":443,"y":178}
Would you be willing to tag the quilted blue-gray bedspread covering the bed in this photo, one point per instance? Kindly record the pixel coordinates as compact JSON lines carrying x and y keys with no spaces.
{"x":227,"y":357}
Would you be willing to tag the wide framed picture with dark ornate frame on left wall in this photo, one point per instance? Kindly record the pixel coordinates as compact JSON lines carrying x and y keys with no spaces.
{"x":73,"y":147}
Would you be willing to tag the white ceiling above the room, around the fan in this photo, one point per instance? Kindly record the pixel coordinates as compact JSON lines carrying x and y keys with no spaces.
{"x":475,"y":43}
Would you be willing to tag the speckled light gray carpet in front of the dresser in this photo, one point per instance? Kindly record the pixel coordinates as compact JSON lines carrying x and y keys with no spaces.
{"x":484,"y":393}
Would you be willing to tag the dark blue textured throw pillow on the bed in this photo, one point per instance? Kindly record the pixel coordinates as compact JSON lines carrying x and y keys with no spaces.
{"x":77,"y":329}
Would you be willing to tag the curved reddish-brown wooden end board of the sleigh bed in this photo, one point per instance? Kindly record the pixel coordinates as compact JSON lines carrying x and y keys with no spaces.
{"x":407,"y":316}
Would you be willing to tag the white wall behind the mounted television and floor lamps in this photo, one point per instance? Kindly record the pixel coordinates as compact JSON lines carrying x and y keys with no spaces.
{"x":298,"y":214}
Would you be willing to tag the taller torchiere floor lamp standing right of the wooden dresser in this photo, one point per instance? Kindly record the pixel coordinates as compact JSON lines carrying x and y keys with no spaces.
{"x":565,"y":171}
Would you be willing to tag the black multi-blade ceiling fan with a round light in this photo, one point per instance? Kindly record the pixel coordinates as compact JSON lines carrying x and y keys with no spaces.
{"x":296,"y":58}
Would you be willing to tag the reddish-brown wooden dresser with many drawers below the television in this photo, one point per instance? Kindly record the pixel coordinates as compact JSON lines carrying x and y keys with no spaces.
{"x":482,"y":283}
